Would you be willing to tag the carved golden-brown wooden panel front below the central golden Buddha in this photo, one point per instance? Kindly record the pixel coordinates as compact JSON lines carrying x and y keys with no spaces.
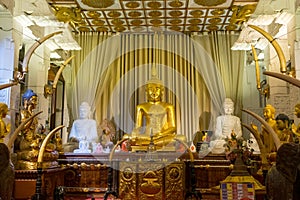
{"x":151,"y":180}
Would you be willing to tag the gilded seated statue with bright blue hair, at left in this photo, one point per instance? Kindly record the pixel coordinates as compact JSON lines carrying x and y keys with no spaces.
{"x":31,"y":139}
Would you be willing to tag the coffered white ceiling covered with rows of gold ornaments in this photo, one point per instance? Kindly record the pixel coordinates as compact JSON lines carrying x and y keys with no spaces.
{"x":151,"y":15}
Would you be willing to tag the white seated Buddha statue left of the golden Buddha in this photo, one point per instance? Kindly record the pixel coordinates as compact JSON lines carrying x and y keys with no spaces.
{"x":84,"y":130}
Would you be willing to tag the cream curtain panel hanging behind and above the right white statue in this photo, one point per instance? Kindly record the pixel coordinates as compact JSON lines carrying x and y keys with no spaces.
{"x":230,"y":64}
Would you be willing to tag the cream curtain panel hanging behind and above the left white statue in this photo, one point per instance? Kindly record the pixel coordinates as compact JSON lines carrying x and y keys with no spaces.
{"x":87,"y":68}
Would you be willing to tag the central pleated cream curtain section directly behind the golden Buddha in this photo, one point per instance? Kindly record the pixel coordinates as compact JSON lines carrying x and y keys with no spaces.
{"x":183,"y":83}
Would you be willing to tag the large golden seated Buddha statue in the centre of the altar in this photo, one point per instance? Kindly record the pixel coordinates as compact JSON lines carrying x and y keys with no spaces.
{"x":159,"y":119}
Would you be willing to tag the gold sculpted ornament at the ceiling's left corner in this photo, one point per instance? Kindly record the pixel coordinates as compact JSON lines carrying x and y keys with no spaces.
{"x":67,"y":14}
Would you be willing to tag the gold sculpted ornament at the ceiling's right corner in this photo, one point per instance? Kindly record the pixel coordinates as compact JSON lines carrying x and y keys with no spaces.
{"x":241,"y":13}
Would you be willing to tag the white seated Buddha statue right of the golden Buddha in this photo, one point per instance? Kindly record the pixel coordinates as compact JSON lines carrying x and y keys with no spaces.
{"x":225,"y":125}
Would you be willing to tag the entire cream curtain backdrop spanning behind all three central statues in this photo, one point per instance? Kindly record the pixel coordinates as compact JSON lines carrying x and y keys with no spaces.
{"x":110,"y":75}
